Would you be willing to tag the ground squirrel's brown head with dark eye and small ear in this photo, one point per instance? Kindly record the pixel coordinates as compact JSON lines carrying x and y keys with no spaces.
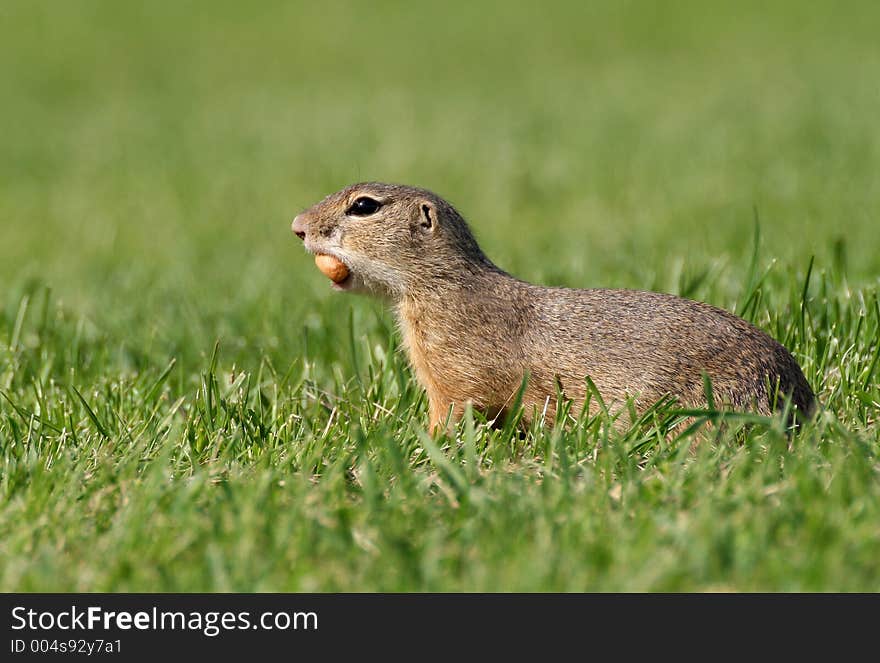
{"x":390,"y":238}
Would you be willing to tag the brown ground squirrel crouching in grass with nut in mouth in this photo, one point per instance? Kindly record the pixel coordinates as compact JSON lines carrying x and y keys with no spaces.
{"x":473,"y":332}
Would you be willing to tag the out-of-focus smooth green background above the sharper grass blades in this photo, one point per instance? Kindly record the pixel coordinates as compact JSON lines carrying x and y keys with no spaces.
{"x":165,"y":146}
